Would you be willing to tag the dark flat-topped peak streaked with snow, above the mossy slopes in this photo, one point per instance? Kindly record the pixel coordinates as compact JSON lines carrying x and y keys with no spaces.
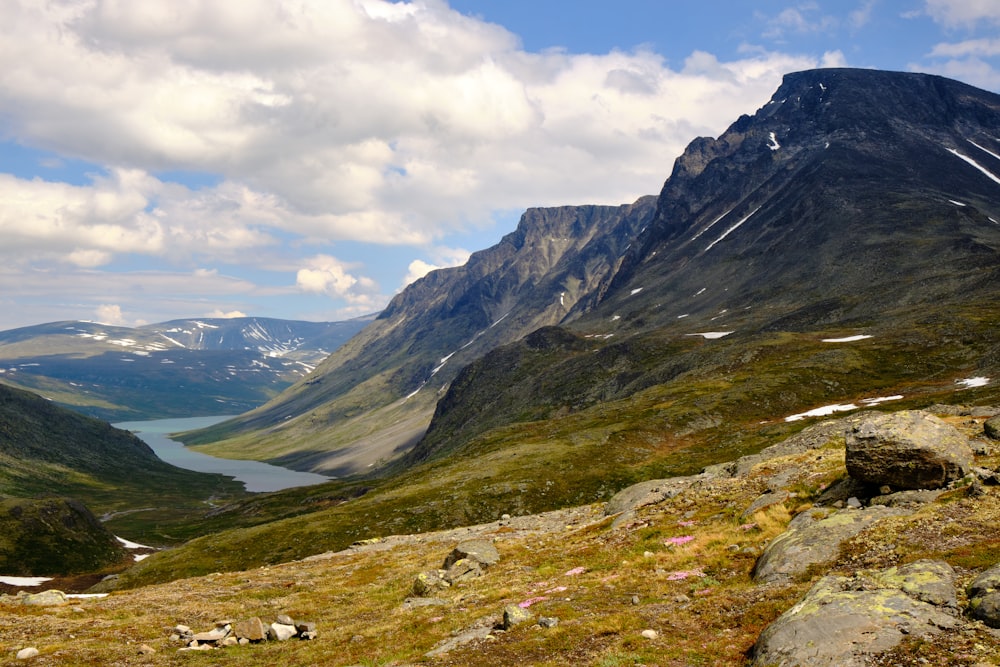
{"x":850,"y":192}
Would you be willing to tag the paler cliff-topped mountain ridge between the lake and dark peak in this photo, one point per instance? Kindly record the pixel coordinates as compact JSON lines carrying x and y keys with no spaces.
{"x":374,"y":397}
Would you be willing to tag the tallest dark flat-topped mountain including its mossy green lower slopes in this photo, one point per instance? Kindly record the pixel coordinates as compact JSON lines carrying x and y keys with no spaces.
{"x":855,"y":202}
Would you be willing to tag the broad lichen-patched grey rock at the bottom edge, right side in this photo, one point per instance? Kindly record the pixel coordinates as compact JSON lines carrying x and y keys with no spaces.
{"x":842,"y":621}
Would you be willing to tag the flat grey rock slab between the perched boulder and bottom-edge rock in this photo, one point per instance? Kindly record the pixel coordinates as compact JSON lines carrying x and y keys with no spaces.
{"x":814,"y":537}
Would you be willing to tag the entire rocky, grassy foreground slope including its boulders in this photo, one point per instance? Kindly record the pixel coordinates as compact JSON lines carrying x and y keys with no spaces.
{"x":868,"y":540}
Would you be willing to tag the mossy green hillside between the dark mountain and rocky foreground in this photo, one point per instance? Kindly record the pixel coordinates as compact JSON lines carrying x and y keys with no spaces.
{"x":721,"y":399}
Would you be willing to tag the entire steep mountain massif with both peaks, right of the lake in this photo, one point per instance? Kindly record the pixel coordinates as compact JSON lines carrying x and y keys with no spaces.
{"x":854,"y":203}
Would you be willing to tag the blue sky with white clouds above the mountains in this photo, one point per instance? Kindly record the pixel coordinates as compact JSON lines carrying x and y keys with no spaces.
{"x":306,"y":159}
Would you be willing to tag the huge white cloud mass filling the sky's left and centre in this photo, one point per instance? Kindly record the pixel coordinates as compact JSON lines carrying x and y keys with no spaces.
{"x":336,"y":120}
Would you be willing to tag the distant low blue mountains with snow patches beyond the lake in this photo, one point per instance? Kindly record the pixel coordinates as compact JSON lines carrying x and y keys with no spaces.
{"x":179,"y":368}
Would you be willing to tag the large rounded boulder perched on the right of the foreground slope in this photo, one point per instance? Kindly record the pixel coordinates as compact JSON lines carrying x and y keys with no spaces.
{"x":910,"y":449}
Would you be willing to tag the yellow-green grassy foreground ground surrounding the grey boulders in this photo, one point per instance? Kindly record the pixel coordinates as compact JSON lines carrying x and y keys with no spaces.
{"x":680,"y":567}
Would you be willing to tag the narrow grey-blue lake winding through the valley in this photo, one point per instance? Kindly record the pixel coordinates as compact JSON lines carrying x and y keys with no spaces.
{"x":256,"y":476}
